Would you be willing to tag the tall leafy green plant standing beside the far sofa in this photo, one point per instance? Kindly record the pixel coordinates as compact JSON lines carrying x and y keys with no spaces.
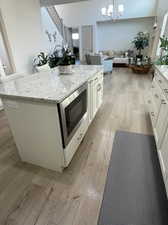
{"x":141,"y":41}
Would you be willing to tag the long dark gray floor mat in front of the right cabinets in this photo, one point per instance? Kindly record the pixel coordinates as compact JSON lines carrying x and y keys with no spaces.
{"x":134,"y":192}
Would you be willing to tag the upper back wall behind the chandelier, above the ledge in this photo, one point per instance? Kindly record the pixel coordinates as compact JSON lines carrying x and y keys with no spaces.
{"x":89,"y":12}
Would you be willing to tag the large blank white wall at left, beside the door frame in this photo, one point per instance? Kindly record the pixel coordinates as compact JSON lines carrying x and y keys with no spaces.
{"x":23,"y":25}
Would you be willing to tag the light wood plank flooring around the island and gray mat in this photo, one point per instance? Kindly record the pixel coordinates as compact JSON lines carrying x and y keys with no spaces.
{"x":30,"y":195}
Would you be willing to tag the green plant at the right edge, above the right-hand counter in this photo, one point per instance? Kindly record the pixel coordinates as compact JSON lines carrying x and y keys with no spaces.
{"x":163,"y":59}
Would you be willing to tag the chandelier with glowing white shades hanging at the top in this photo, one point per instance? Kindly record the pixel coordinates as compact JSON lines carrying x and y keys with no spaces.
{"x":113,"y":10}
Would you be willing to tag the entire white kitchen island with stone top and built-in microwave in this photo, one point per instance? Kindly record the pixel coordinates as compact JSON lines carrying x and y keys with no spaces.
{"x":50,"y":113}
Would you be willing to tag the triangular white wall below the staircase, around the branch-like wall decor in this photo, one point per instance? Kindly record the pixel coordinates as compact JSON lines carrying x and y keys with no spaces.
{"x":49,"y":26}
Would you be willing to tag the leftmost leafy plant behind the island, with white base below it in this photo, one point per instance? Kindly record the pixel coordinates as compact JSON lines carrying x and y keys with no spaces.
{"x":41,"y":62}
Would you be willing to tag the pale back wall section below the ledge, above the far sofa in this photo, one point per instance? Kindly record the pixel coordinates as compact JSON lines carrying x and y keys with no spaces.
{"x":118,"y":35}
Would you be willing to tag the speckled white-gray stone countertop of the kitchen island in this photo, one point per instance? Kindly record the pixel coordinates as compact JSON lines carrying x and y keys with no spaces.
{"x":47,"y":86}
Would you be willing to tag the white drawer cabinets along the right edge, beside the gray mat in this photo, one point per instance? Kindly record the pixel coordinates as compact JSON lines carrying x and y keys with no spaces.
{"x":158,"y":111}
